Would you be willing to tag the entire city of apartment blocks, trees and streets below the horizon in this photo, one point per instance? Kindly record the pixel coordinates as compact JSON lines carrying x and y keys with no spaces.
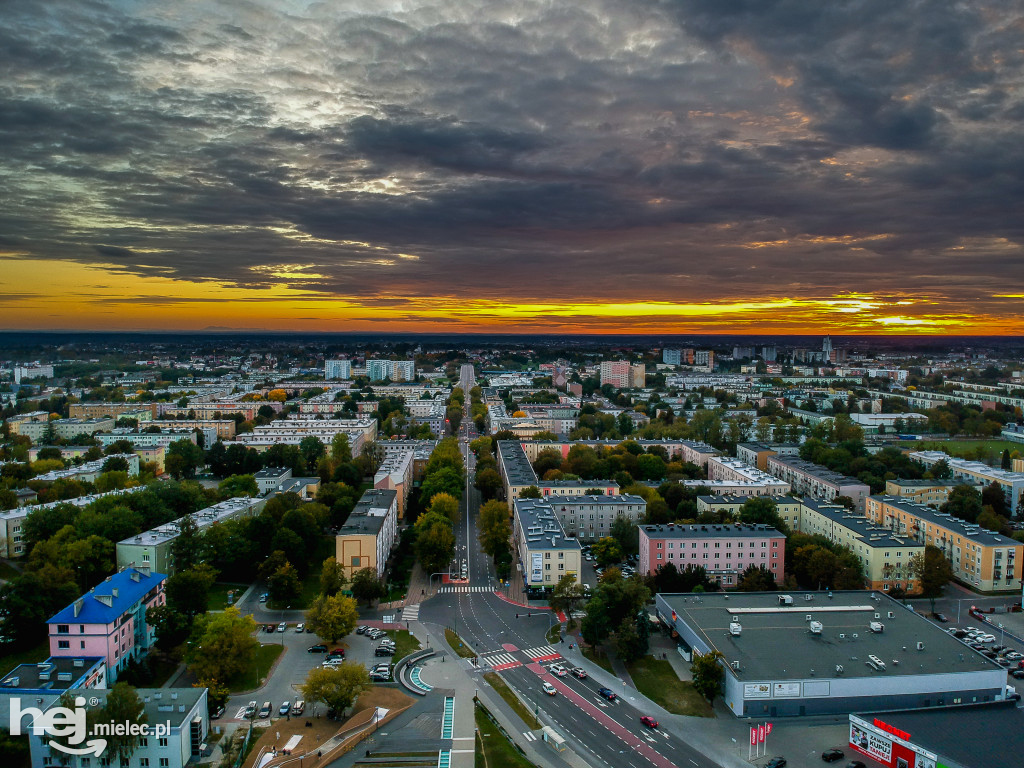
{"x":244,"y":551}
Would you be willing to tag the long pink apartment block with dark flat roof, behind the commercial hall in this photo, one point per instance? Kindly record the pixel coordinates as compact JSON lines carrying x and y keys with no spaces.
{"x":724,"y":551}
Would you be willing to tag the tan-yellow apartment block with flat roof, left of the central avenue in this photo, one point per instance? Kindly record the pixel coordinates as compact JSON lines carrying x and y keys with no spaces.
{"x":367,"y":538}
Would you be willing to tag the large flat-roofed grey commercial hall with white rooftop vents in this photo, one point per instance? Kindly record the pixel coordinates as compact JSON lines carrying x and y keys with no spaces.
{"x":829,"y":654}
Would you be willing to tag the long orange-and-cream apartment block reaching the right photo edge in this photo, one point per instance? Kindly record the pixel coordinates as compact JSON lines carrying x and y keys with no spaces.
{"x":987,"y":561}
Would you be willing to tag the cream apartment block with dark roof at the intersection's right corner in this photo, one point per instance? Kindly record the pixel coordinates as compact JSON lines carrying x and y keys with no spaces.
{"x":545,"y":552}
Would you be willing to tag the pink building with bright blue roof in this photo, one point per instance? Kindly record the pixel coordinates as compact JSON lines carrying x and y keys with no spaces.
{"x":110,"y":621}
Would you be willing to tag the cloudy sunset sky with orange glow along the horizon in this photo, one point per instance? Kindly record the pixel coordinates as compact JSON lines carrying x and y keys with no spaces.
{"x":646,"y":166}
